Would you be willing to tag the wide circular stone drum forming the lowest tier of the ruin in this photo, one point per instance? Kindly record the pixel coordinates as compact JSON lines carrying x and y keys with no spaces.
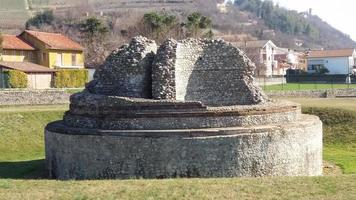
{"x":291,"y":149}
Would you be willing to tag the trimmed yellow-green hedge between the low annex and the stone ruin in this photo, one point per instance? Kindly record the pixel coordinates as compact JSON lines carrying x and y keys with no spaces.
{"x":71,"y":78}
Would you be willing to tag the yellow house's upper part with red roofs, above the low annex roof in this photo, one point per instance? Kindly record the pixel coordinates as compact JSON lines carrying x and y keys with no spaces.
{"x":51,"y":50}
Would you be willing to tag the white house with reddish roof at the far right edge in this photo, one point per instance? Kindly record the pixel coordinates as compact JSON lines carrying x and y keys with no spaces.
{"x":341,"y":61}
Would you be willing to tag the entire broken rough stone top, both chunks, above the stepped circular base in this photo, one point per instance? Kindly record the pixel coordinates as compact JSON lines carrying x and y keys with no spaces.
{"x":210,"y":71}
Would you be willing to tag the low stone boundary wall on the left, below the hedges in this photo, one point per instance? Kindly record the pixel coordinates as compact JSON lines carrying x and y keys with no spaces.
{"x":33,"y":97}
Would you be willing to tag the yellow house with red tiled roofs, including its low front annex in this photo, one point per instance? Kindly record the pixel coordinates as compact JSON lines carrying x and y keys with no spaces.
{"x":40,"y":54}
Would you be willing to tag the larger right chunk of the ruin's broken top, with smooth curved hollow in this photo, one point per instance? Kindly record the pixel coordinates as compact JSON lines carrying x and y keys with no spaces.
{"x":210,"y":71}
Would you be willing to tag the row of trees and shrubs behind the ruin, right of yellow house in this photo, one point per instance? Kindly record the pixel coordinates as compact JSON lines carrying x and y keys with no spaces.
{"x":99,"y":38}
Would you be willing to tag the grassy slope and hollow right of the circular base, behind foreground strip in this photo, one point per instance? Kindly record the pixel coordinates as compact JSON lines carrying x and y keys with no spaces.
{"x":339,"y":118}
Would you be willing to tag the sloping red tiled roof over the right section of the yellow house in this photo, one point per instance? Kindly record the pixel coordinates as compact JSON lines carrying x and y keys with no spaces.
{"x":56,"y":41}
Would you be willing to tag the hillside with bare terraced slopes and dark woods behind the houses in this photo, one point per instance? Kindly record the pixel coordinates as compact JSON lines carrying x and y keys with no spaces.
{"x":247,"y":19}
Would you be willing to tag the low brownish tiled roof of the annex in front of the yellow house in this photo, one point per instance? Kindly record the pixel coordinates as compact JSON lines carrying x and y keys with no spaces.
{"x":26,"y":67}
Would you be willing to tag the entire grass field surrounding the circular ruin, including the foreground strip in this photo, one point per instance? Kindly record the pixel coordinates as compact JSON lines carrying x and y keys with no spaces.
{"x":22,"y":165}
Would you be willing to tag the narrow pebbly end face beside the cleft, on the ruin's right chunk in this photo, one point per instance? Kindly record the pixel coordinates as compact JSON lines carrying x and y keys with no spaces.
{"x":163,"y":76}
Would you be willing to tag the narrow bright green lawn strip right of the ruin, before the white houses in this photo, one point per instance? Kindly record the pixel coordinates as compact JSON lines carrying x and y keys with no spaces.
{"x":305,"y":86}
